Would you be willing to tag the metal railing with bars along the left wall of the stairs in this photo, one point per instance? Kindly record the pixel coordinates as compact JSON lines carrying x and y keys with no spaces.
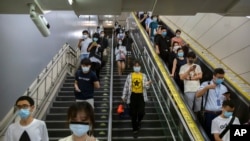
{"x":67,"y":56}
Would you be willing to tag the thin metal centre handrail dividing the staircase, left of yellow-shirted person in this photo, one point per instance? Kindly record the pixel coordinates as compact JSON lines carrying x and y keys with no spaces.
{"x":111,"y":91}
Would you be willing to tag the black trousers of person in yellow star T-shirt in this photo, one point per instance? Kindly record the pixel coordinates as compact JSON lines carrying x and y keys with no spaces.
{"x":137,"y":109}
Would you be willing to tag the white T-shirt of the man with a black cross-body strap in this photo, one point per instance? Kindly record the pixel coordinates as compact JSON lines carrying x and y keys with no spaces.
{"x":220,"y":123}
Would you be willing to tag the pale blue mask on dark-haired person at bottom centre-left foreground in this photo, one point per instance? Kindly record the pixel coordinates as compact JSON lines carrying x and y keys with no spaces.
{"x":79,"y":129}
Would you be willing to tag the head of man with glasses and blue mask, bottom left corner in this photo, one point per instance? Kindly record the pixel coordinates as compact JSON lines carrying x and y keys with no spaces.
{"x":25,"y":106}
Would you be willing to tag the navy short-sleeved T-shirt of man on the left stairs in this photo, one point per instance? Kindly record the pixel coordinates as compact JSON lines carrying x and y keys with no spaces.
{"x":85,"y":82}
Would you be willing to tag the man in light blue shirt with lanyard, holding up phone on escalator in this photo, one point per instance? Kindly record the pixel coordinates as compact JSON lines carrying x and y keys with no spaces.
{"x":213,"y":96}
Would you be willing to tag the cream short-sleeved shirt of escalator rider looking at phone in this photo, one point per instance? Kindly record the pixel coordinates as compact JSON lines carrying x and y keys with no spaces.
{"x":191,"y":85}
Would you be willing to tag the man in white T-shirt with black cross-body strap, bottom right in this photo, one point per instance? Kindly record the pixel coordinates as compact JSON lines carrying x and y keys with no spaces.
{"x":220,"y":124}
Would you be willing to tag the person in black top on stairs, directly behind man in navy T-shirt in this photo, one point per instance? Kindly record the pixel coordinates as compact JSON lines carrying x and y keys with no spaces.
{"x":95,"y":51}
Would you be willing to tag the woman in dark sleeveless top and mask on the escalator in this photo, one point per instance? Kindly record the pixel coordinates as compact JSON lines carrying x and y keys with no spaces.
{"x":177,"y":63}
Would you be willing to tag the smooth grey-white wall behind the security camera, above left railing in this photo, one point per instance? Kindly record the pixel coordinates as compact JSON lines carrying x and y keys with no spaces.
{"x":25,"y":52}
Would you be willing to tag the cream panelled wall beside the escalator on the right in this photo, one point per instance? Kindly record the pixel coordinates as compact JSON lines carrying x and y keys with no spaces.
{"x":225,"y":37}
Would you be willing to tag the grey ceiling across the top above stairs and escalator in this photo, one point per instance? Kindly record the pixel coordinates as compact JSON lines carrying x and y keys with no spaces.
{"x":120,"y":8}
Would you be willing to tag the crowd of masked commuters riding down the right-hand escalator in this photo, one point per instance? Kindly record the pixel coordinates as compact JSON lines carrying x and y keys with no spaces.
{"x":210,"y":96}
